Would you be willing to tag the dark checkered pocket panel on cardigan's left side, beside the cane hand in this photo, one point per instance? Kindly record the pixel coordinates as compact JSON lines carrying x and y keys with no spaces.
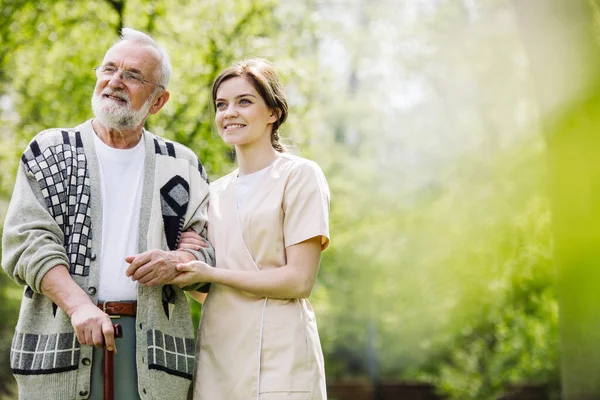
{"x":33,"y":354}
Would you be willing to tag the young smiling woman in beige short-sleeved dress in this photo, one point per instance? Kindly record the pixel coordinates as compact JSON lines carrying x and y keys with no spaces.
{"x":269,"y":223}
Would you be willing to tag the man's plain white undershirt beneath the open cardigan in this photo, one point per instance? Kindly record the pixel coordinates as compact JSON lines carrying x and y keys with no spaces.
{"x":121,"y":177}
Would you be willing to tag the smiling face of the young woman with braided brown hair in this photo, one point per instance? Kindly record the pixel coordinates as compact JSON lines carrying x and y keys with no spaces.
{"x":242,"y":116}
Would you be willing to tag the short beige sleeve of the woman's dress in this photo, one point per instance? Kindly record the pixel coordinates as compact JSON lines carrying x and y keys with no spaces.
{"x":306,"y":205}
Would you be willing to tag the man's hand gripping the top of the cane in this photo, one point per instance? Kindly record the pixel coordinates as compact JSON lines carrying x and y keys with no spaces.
{"x":93,"y":326}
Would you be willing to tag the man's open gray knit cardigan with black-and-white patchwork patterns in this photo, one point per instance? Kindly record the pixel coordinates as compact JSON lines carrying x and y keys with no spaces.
{"x":54,"y":218}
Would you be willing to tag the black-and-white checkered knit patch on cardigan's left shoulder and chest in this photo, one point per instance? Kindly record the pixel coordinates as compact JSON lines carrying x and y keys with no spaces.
{"x":62,"y":174}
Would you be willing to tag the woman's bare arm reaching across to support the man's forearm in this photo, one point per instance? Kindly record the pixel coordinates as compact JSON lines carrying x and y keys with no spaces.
{"x":293,"y":280}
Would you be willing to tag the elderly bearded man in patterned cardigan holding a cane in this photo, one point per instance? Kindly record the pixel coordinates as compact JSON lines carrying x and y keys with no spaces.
{"x":92,"y":232}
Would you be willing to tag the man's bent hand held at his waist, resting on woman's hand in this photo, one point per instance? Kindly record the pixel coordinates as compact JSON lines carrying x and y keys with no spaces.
{"x":154,"y":267}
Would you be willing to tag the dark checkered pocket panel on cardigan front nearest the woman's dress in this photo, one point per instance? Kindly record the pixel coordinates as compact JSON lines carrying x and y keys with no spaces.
{"x":173,"y":355}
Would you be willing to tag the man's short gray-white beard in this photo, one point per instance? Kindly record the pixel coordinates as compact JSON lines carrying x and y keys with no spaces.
{"x":115,"y":116}
